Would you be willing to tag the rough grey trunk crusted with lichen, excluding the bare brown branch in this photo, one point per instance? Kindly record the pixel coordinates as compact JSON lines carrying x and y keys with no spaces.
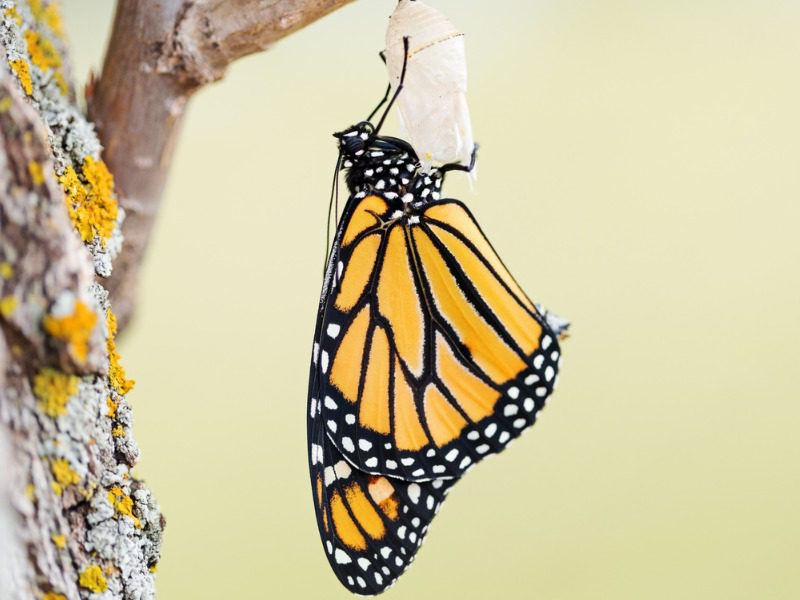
{"x":88,"y":527}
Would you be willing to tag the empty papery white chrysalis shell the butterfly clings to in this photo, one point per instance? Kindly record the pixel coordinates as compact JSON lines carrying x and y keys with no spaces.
{"x":433,"y":111}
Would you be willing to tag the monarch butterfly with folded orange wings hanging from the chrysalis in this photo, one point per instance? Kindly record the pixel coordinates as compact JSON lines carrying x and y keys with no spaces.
{"x":427,"y":357}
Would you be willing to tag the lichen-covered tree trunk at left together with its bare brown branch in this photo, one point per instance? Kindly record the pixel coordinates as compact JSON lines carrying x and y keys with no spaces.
{"x":74,"y":521}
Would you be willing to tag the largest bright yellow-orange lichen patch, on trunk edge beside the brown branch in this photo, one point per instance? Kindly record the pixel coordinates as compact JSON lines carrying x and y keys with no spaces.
{"x":91,"y":206}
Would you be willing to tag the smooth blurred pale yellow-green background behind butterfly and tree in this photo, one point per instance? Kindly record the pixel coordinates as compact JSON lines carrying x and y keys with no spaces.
{"x":639,"y":174}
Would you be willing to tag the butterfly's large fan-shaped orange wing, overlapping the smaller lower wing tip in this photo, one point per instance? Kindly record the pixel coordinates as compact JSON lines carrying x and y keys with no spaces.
{"x":431,"y":355}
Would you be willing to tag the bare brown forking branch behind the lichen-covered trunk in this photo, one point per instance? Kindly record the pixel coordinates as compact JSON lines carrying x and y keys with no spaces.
{"x":158,"y":56}
